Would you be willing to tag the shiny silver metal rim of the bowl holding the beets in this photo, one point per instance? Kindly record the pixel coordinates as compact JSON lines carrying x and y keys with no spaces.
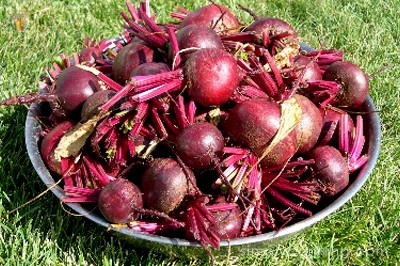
{"x":33,"y":127}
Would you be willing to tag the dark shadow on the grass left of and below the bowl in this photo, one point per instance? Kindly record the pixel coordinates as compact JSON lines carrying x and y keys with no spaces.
{"x":69,"y":234}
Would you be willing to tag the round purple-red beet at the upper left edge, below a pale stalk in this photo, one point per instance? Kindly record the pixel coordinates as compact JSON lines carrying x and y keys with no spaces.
{"x":73,"y":86}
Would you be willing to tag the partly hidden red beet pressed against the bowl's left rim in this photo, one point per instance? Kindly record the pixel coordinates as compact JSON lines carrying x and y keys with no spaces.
{"x":49,"y":144}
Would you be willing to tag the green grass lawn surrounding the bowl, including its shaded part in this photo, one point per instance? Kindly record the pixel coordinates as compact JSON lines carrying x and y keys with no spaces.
{"x":363,"y":232}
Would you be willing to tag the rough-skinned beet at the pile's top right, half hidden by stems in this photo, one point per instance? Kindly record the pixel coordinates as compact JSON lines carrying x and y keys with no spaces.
{"x":273,"y":26}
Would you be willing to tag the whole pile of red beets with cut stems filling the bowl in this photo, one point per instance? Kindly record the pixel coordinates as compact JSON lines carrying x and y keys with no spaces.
{"x":202,"y":128}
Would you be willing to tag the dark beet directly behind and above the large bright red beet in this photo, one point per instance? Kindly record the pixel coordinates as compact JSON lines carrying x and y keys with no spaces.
{"x":196,"y":36}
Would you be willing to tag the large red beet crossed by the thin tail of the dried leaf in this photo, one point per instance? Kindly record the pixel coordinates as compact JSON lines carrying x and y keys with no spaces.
{"x":254,"y":123}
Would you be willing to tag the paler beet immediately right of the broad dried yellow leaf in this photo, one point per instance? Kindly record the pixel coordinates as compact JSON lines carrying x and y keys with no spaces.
{"x":309,"y":128}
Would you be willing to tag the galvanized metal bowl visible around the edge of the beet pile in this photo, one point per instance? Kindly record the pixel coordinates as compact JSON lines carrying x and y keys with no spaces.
{"x":182,"y":246}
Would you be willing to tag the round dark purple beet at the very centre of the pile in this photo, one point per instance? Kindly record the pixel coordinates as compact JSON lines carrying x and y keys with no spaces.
{"x":200,"y":145}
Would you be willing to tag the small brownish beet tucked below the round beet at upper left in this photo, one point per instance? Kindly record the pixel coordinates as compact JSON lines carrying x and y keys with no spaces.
{"x":91,"y":105}
